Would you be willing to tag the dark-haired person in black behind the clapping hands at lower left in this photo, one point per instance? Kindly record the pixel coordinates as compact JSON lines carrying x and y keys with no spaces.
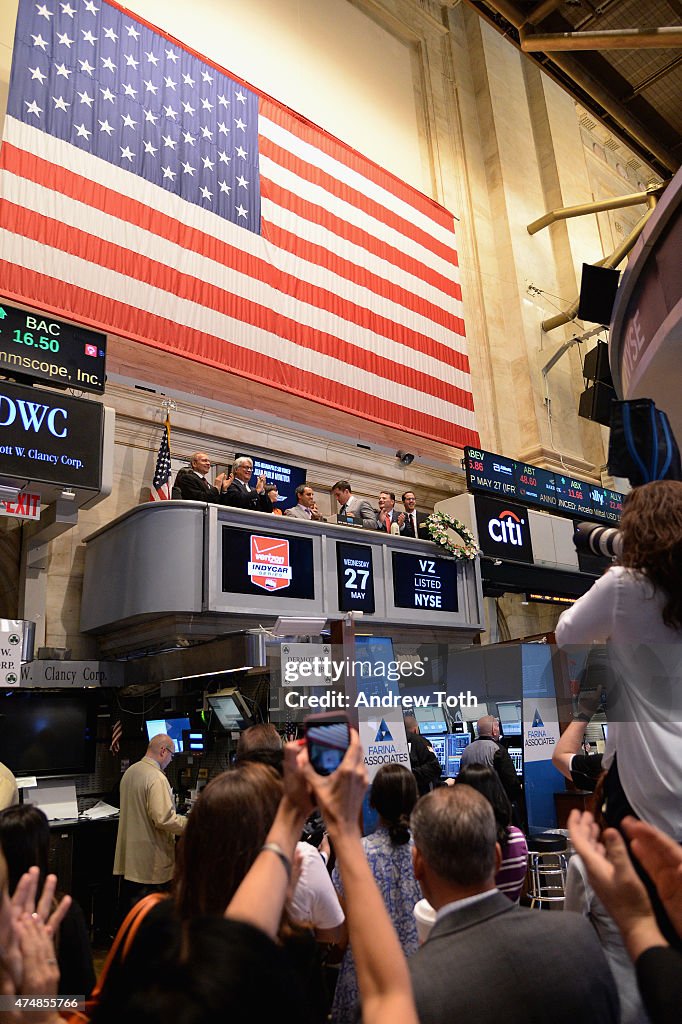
{"x":25,"y":840}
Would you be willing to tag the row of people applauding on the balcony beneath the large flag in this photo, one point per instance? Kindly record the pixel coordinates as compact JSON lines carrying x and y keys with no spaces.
{"x":235,"y":490}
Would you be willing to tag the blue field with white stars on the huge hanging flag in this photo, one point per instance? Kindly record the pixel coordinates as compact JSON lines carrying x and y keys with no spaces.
{"x":88,"y":73}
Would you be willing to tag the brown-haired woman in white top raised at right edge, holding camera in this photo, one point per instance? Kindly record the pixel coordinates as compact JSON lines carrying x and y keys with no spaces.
{"x":636,"y":609}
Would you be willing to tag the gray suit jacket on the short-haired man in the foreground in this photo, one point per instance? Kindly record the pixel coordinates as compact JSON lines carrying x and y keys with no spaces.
{"x":495,"y":962}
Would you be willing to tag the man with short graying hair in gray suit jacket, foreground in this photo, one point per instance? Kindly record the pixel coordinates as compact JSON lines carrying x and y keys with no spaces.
{"x":486,"y":959}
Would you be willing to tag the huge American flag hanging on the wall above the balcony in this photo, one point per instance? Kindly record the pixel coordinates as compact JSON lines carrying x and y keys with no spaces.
{"x":146,"y":192}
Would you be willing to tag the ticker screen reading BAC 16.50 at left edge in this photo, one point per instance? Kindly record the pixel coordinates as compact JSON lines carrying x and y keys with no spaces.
{"x":39,"y":348}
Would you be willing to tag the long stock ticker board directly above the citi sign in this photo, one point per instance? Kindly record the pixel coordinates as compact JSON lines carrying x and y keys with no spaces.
{"x":495,"y":475}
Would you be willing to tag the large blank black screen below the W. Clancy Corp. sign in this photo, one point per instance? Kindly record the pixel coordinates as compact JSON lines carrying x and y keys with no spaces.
{"x":48,"y":735}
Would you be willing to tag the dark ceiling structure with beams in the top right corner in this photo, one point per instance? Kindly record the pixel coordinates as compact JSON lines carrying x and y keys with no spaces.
{"x":621,"y":60}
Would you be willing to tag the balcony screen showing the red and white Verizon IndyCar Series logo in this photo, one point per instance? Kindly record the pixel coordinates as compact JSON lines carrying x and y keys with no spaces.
{"x":259,"y":564}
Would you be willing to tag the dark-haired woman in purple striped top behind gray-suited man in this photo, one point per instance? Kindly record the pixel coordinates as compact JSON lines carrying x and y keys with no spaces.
{"x":509,"y":879}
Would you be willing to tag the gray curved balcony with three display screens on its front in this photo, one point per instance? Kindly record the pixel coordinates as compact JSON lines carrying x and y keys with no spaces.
{"x":186,"y":570}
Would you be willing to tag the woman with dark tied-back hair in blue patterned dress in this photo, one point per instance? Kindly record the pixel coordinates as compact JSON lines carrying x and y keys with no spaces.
{"x":389,"y":851}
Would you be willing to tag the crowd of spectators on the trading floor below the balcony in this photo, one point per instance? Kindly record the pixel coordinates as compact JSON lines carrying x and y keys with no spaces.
{"x":239,"y":921}
